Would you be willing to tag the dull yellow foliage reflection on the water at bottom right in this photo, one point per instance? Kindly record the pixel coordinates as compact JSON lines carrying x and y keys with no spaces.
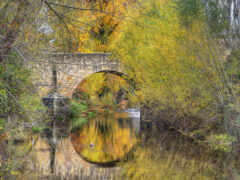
{"x":178,"y":161}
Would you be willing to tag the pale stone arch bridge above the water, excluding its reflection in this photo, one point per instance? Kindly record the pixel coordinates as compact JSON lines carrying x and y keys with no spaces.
{"x":71,"y":69}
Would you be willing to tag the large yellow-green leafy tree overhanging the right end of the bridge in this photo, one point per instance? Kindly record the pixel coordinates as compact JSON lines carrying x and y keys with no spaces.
{"x":170,"y":63}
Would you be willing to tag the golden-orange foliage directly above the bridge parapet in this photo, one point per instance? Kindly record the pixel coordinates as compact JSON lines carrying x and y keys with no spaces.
{"x":94,"y":29}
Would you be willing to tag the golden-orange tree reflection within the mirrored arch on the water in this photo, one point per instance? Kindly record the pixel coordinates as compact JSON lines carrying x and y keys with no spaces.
{"x":104,"y":139}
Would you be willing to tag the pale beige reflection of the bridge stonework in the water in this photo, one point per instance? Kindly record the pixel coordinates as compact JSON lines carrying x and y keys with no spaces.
{"x":68,"y":164}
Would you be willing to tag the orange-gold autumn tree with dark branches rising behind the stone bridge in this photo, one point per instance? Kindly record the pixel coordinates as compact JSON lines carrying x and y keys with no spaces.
{"x":94,"y":28}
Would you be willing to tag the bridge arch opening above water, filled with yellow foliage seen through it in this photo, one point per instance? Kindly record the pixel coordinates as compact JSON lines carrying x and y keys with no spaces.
{"x":99,"y":85}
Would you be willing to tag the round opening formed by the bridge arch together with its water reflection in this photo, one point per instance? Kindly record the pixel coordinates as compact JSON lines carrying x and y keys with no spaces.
{"x":108,"y":135}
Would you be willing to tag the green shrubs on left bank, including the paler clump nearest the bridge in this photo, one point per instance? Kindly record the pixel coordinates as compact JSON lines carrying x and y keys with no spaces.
{"x":16,"y":96}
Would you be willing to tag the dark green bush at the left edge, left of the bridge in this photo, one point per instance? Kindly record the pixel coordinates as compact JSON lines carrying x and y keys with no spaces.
{"x":14,"y":82}
